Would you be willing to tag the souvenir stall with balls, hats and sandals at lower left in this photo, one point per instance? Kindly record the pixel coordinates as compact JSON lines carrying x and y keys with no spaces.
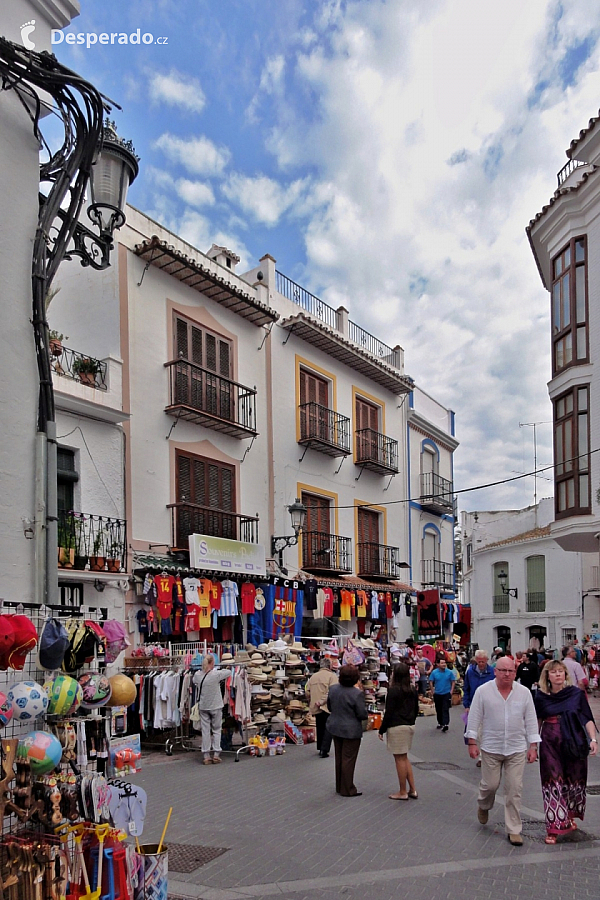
{"x":66,"y":814}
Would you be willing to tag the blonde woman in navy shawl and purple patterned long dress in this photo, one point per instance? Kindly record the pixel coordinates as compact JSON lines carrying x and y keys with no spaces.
{"x":564,"y":775}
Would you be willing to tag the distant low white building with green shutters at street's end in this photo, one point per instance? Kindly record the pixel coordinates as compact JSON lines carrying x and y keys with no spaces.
{"x":523,"y":588}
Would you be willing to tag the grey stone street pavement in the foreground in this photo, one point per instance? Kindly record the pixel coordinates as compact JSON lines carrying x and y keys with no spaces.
{"x":288,"y":833}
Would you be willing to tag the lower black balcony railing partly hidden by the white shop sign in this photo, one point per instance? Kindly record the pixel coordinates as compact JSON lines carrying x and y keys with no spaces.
{"x":191,"y":518}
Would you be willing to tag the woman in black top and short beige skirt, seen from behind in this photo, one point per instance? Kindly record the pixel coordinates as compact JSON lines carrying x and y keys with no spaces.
{"x":401,"y":711}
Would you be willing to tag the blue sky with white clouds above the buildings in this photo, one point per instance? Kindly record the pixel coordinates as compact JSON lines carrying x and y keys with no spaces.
{"x":389,"y":155}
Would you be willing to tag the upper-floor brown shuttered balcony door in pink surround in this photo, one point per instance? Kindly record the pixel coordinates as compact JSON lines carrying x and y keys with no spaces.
{"x":206,"y":384}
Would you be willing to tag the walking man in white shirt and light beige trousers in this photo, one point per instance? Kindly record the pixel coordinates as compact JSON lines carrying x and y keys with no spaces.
{"x":504,"y":711}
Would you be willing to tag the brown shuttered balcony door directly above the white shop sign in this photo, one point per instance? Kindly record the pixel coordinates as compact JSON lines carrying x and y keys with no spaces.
{"x":205,"y":495}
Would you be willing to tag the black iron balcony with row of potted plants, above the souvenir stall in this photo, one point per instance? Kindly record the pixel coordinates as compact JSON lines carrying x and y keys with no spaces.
{"x":97,"y":542}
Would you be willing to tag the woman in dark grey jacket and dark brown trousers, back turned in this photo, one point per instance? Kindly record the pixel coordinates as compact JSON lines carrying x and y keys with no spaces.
{"x":348,"y":711}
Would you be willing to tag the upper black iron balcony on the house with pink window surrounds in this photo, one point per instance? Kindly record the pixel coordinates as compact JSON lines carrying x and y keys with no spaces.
{"x":208,"y":399}
